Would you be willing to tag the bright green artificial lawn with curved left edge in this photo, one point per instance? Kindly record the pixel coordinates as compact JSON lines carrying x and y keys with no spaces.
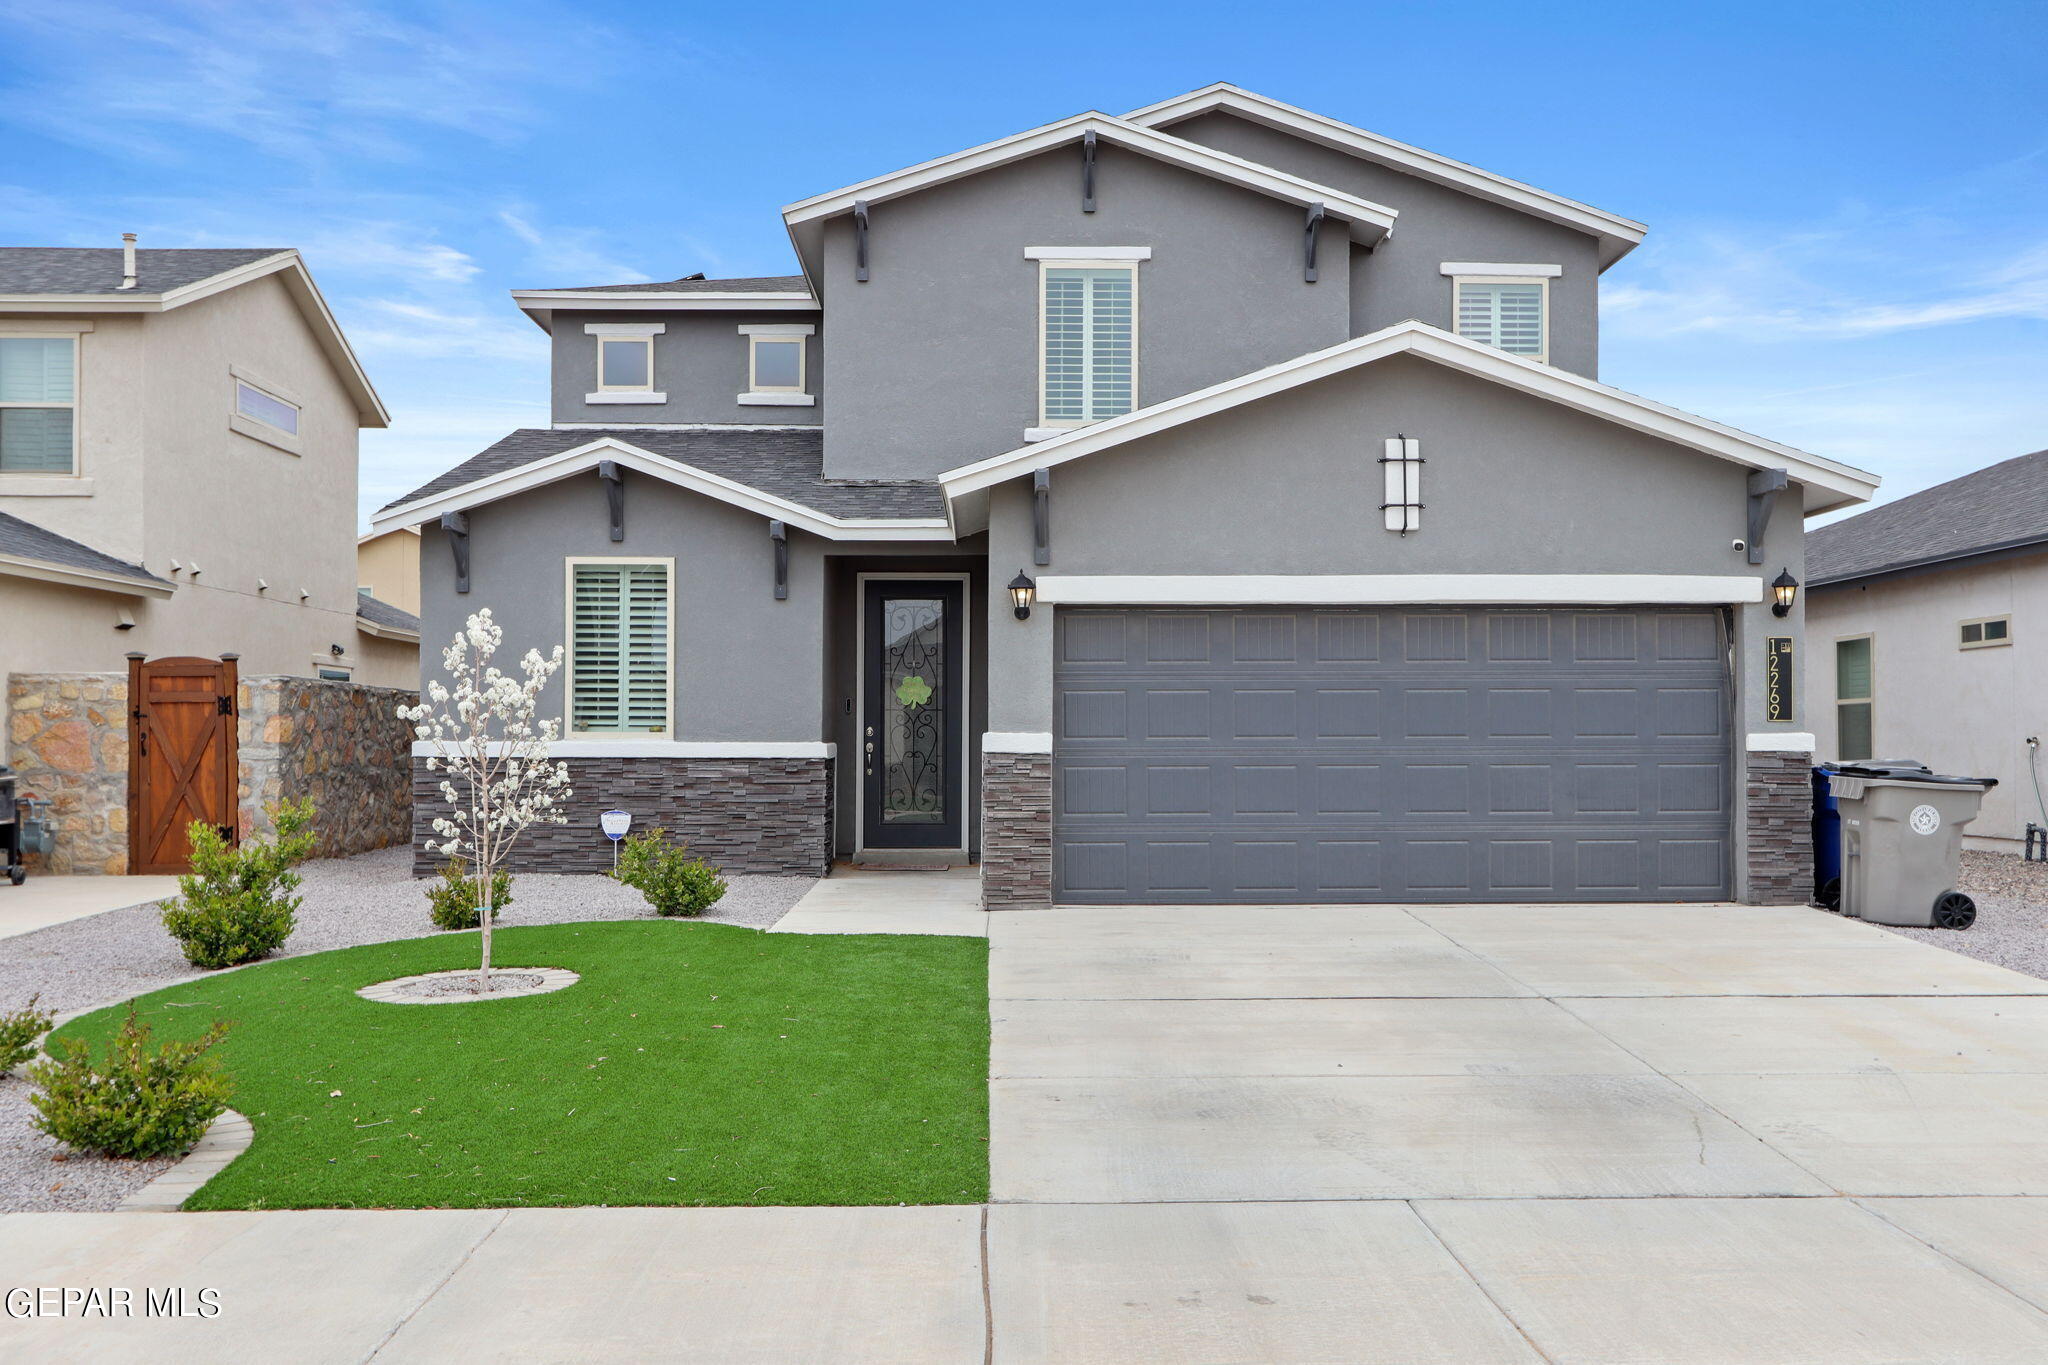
{"x":691,"y":1065}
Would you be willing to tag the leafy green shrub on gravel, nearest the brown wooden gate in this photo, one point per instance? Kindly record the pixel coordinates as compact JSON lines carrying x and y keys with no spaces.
{"x":237,"y":906}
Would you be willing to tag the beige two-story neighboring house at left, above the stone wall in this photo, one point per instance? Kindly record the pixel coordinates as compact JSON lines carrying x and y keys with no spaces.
{"x":179,"y":466}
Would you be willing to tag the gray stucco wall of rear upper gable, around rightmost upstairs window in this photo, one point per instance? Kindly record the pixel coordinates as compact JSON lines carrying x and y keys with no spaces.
{"x":1404,"y":275}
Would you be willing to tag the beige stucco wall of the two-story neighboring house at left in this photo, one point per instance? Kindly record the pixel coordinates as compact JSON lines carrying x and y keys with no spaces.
{"x":163,"y":480}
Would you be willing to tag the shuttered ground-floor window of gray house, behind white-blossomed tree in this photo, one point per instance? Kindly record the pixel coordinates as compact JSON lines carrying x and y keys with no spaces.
{"x":622,"y":644}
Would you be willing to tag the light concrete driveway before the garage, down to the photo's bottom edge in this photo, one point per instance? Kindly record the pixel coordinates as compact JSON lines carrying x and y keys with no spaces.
{"x":1512,"y":1135}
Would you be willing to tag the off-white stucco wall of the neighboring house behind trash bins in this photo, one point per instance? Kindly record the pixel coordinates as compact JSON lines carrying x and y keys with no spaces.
{"x":1961,"y":711}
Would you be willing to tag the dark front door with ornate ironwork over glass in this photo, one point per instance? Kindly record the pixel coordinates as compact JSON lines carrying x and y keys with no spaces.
{"x":914,"y":715}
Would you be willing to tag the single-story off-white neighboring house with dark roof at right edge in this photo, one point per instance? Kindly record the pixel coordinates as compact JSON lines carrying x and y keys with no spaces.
{"x":1930,"y":637}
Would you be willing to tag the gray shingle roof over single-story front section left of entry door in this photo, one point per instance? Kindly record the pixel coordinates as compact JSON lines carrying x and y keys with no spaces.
{"x":787,"y":464}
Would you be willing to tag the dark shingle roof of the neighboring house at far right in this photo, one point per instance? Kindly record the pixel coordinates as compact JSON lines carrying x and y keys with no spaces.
{"x":1996,"y":509}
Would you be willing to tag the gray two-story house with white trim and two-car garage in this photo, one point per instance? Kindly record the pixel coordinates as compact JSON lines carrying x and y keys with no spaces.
{"x":1209,"y":504}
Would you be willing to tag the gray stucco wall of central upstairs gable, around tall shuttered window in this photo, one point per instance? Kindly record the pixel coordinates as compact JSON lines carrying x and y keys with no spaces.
{"x":937,"y":357}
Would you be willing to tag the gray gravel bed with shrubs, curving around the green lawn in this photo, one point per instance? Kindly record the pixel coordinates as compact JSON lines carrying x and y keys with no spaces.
{"x":349,"y":901}
